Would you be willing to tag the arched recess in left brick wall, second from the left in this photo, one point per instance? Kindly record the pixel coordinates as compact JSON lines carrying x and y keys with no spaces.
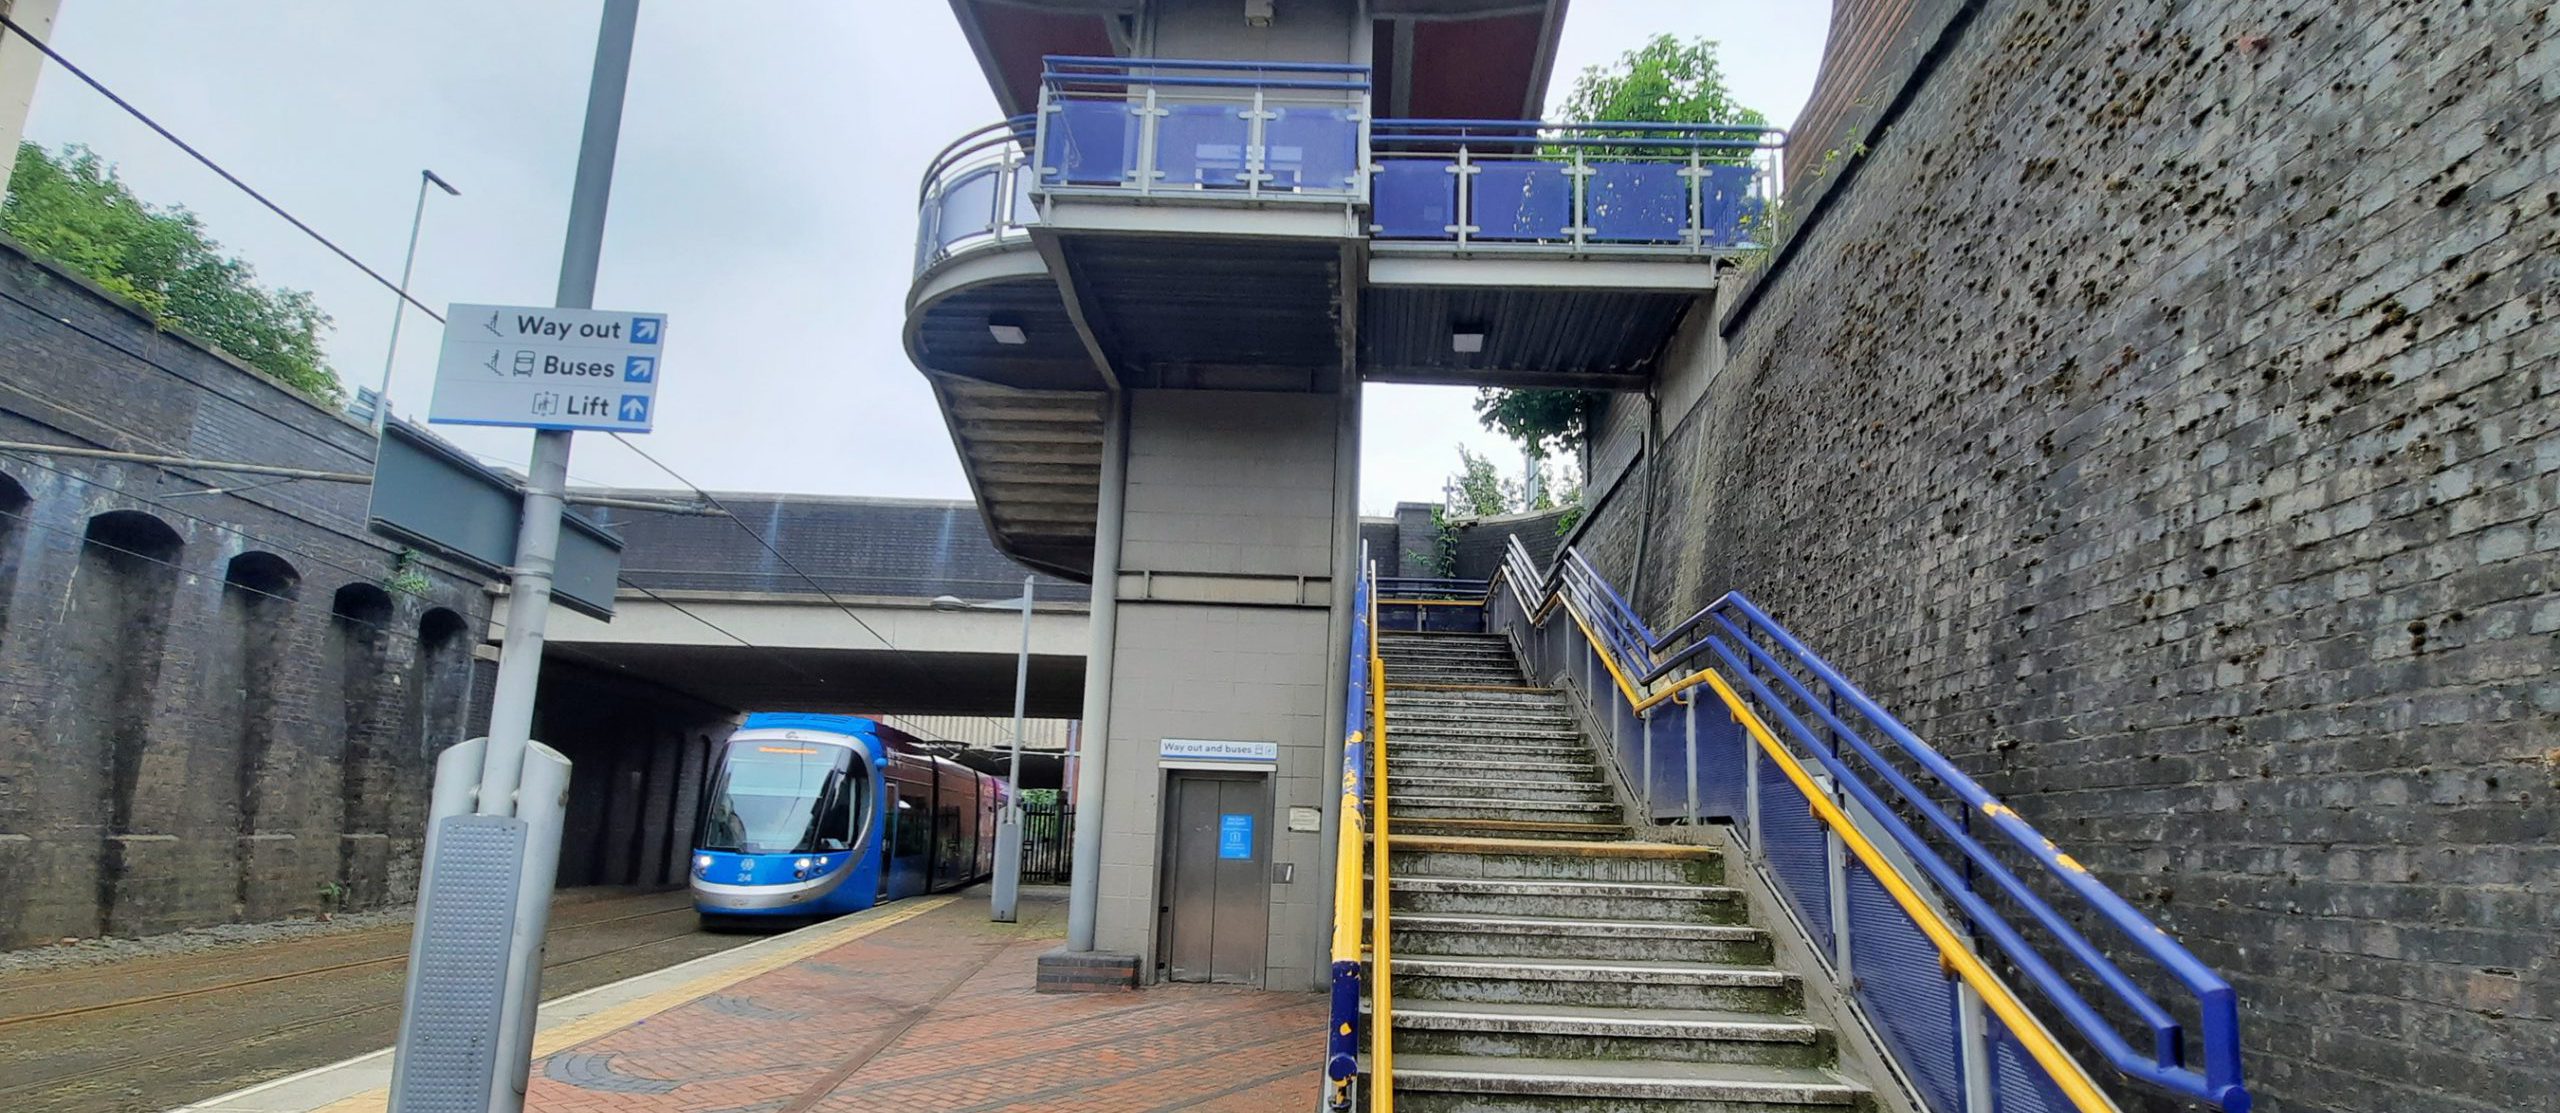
{"x":122,"y":623}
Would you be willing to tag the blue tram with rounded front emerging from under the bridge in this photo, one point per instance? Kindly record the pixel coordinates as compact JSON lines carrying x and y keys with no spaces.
{"x":820,"y":815}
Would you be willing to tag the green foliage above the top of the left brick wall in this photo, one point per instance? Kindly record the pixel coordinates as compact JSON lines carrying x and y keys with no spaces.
{"x":76,"y":211}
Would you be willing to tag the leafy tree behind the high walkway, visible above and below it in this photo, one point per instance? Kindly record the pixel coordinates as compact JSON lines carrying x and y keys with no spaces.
{"x":1663,"y":81}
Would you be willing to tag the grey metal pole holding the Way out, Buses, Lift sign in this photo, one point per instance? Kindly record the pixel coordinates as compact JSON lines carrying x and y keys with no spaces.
{"x":539,"y":541}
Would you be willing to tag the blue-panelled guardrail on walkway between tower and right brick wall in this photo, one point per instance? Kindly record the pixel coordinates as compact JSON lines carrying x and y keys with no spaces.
{"x":1591,"y":188}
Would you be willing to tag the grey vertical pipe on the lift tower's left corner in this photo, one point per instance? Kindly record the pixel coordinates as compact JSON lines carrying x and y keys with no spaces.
{"x":1087,"y":869}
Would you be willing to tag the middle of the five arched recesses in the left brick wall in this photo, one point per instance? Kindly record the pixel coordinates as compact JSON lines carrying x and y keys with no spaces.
{"x":260,"y":595}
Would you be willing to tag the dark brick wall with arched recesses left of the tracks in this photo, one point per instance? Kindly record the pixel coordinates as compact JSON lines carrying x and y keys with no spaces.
{"x":216,"y":707}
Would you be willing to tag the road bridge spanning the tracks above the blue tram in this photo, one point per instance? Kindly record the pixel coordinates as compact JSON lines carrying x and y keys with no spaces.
{"x":838,"y":615}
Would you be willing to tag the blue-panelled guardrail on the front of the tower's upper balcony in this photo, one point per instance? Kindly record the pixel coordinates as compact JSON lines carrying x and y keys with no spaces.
{"x":1271,"y":132}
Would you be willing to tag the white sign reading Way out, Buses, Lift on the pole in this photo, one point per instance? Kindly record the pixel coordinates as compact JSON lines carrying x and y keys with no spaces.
{"x":549,"y":370}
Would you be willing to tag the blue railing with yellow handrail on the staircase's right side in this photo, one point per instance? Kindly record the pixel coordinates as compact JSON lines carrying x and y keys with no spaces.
{"x":1798,"y":766}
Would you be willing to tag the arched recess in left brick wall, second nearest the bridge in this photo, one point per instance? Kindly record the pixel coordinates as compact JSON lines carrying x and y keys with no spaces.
{"x":362,"y":646}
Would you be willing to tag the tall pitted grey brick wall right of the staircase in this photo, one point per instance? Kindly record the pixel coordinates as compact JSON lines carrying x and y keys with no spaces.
{"x":2162,"y":421}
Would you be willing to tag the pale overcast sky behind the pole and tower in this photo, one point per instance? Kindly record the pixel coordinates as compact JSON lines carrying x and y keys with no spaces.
{"x":764,"y":196}
